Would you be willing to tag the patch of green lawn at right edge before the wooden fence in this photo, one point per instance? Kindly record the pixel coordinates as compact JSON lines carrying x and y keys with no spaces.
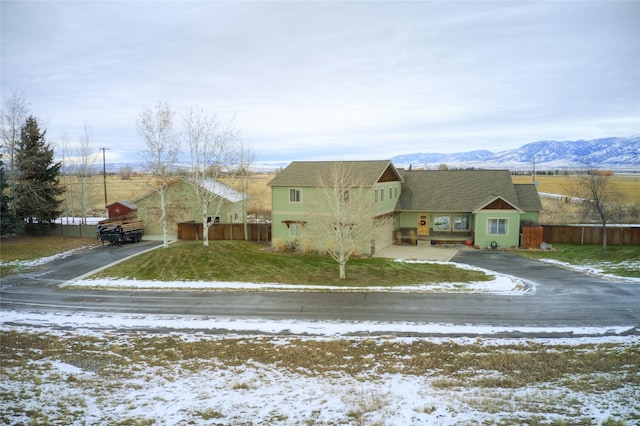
{"x":623,"y":261}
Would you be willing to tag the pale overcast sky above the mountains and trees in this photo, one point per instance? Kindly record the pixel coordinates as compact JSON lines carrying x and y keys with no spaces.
{"x":331,"y":80}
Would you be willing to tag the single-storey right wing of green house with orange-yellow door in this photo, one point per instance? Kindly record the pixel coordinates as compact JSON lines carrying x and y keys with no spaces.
{"x":481,"y":206}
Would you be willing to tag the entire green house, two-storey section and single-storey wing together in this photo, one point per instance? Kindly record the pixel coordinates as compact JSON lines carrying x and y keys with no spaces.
{"x":482,"y":207}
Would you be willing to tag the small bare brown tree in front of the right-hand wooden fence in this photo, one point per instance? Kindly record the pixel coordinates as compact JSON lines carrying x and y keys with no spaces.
{"x":603,"y":200}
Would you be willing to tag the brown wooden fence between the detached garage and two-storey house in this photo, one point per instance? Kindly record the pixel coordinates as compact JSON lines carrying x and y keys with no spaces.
{"x":225,"y":231}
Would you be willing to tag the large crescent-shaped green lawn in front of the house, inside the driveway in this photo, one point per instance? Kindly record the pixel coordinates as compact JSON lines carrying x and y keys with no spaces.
{"x":250,"y":262}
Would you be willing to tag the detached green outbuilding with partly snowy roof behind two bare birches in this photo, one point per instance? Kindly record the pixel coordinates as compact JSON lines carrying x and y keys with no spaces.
{"x":182,"y":206}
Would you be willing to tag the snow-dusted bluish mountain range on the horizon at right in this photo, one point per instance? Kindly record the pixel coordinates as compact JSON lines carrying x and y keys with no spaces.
{"x":621,"y":154}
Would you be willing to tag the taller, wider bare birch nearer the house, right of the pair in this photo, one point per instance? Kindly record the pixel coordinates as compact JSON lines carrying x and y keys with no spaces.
{"x":215,"y":150}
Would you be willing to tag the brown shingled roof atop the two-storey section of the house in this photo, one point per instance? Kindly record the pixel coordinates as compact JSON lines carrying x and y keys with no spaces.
{"x":310,"y":173}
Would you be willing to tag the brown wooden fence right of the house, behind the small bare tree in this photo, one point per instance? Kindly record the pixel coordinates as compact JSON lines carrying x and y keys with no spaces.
{"x":622,"y":235}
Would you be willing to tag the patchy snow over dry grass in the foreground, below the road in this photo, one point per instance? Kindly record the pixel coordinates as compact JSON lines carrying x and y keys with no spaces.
{"x":70,"y":390}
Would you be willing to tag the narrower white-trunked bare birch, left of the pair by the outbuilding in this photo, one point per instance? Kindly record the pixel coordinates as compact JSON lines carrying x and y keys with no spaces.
{"x":155,"y":126}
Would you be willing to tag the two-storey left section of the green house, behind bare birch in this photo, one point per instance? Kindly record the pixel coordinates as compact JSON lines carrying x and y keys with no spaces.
{"x":294,"y":187}
